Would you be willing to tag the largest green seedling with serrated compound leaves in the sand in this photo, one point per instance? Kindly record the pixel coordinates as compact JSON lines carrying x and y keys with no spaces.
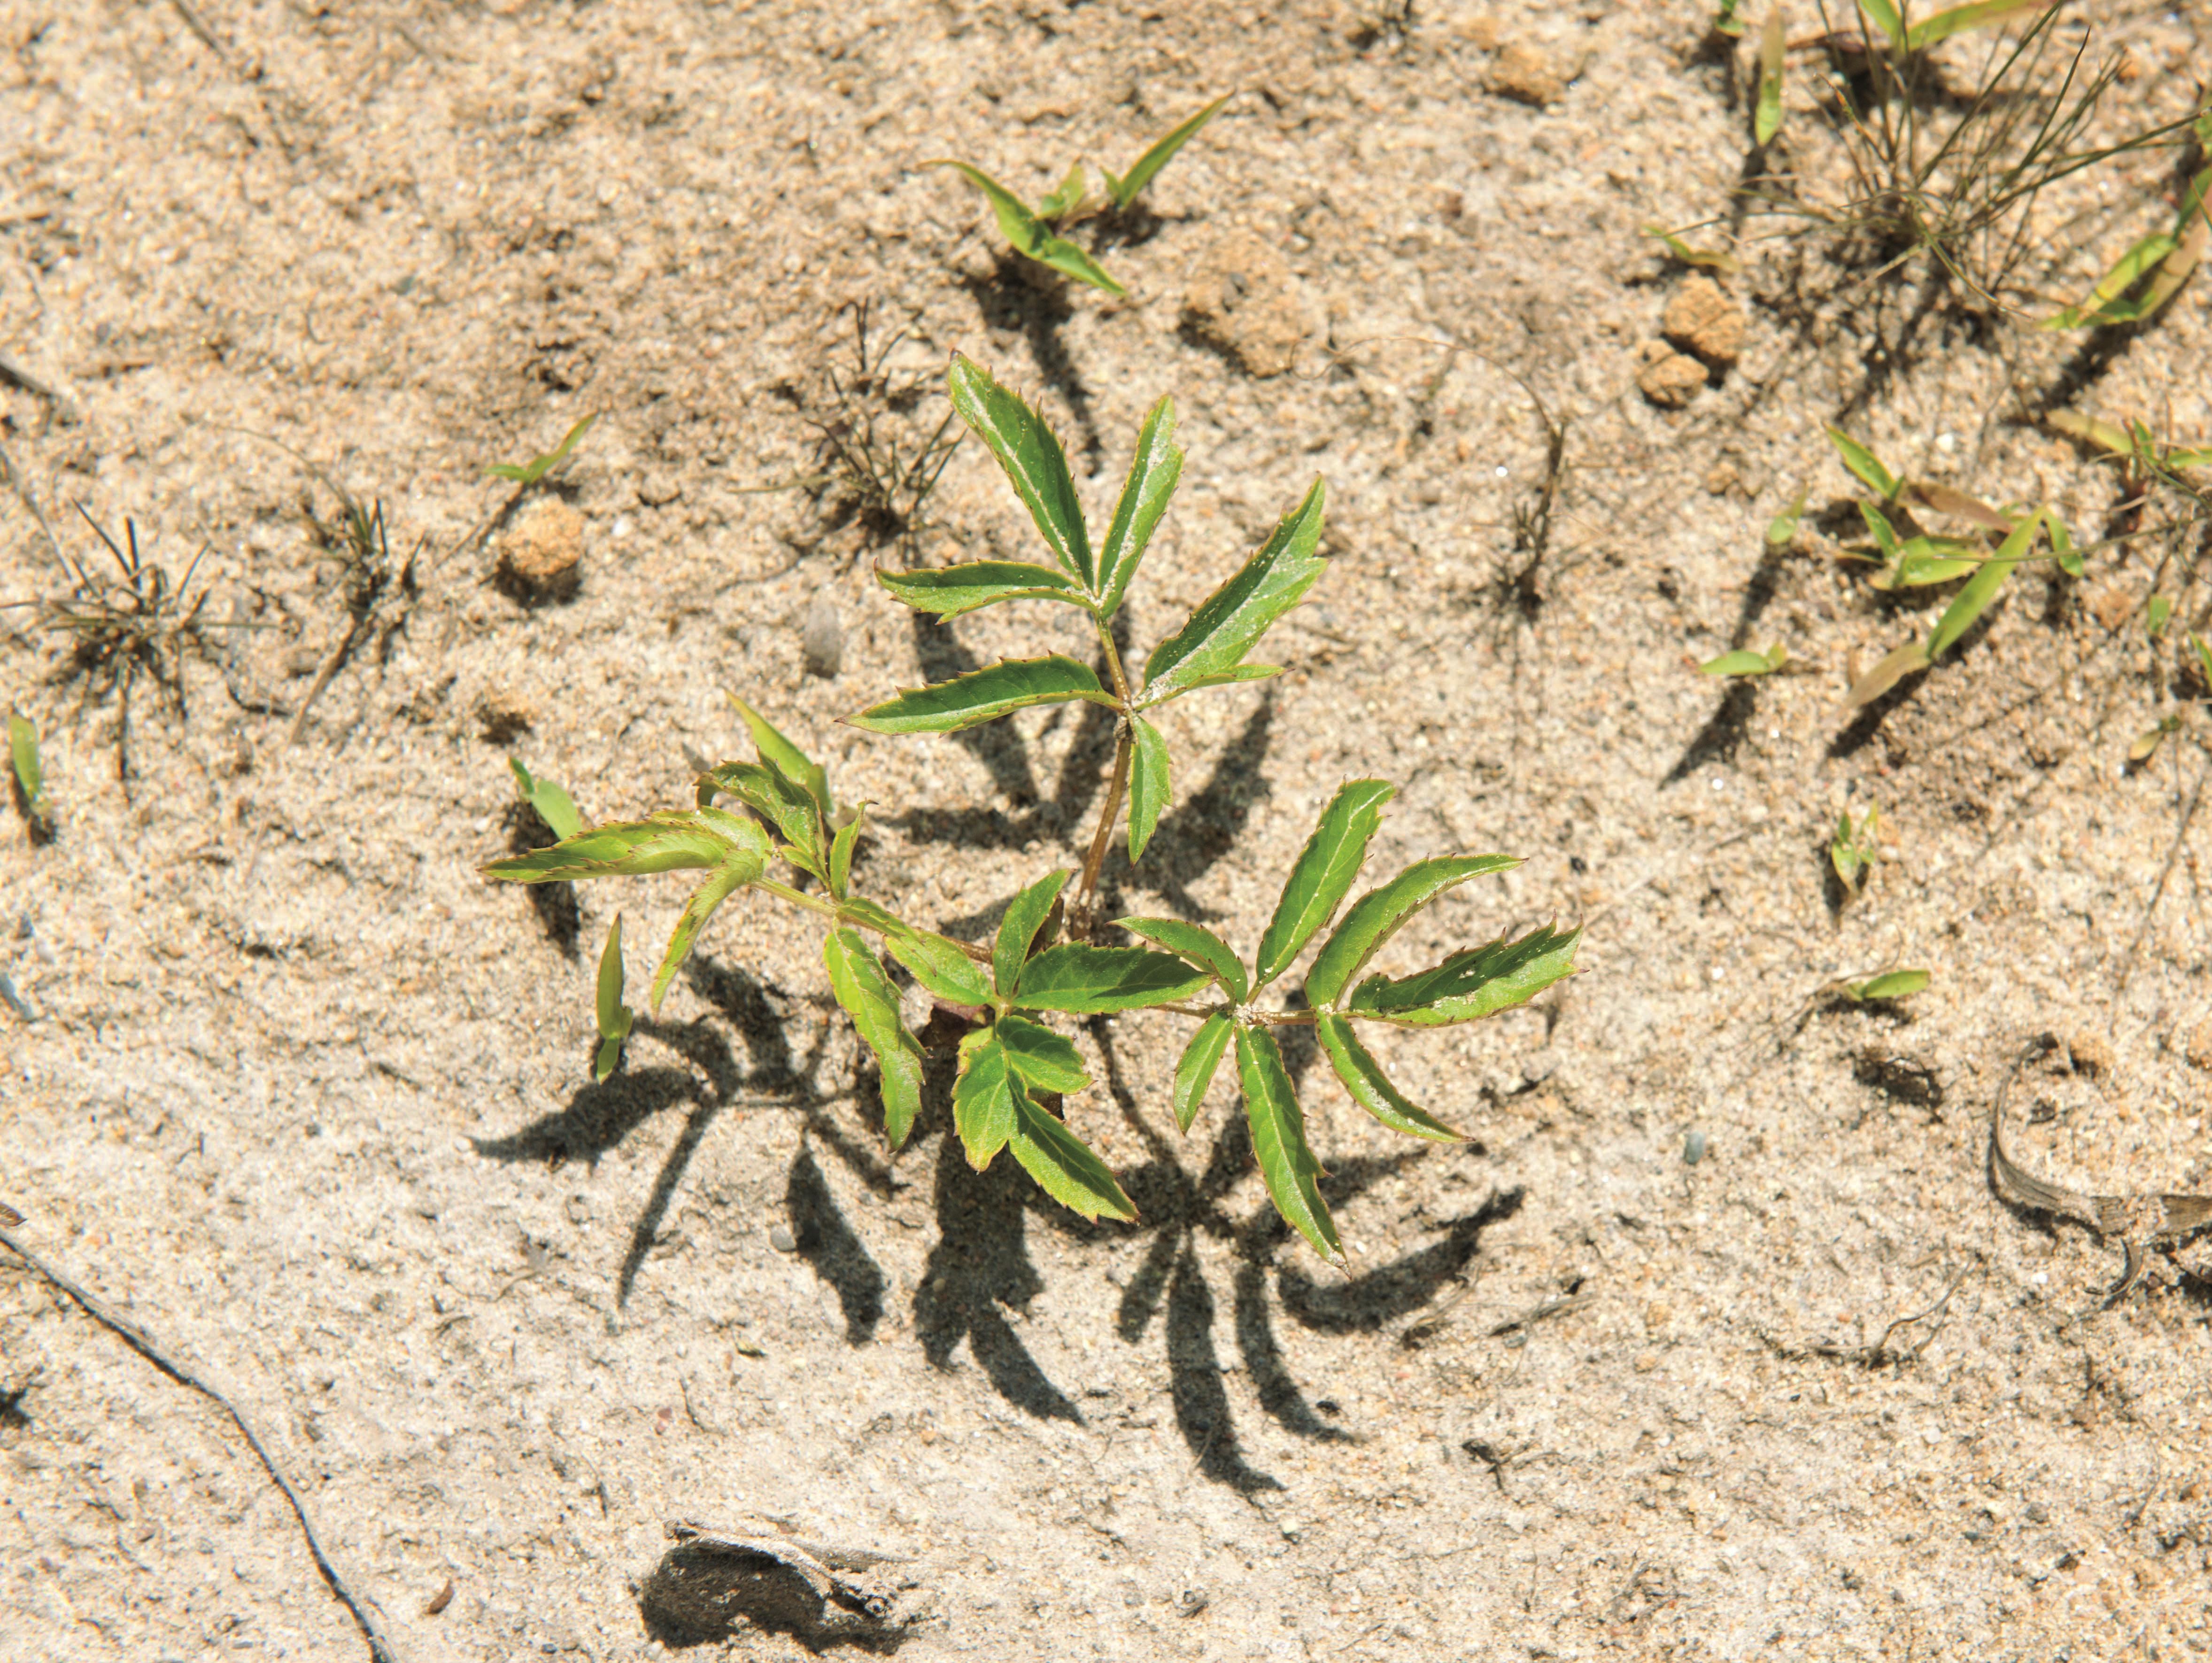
{"x":1043,"y":959}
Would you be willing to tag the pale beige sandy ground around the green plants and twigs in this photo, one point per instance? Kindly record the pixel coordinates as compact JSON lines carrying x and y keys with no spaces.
{"x":313,"y":1100}
